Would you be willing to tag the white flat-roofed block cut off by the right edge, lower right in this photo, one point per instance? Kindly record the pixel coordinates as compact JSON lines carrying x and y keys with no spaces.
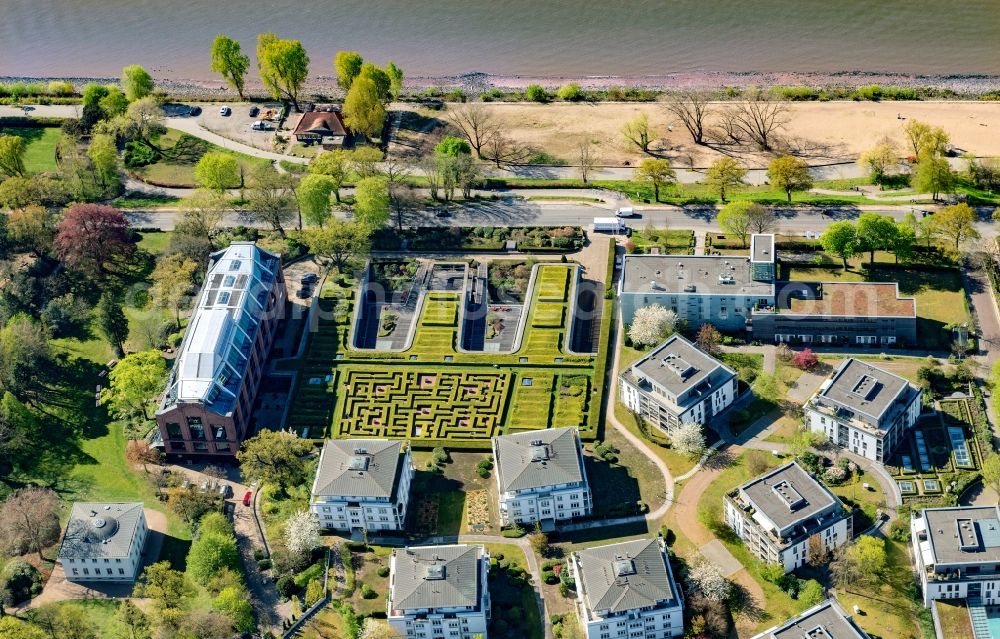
{"x":957,"y":551}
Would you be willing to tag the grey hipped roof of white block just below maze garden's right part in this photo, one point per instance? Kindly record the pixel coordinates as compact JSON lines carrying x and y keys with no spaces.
{"x":538,"y":458}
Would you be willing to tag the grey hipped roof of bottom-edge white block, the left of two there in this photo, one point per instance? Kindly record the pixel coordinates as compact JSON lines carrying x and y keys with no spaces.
{"x":436,"y":577}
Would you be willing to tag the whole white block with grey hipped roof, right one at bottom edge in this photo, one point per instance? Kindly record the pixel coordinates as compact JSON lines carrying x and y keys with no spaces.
{"x":627,"y":591}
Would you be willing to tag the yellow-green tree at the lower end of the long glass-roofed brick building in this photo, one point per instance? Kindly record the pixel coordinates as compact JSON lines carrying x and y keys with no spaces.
{"x":274,"y":457}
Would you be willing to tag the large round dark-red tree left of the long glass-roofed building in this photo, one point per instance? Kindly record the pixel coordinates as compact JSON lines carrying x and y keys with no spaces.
{"x":91,"y":236}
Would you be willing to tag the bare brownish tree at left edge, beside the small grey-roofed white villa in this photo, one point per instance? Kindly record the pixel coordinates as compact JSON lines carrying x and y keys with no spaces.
{"x":29,"y":521}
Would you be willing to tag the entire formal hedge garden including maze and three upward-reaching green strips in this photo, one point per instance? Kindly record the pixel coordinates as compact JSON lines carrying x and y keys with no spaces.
{"x":433,"y":393}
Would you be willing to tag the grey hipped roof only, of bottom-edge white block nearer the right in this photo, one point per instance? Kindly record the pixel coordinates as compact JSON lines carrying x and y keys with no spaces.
{"x":626,"y":576}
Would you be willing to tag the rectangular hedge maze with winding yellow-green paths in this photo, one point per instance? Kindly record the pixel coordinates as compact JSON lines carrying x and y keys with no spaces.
{"x":417,"y":405}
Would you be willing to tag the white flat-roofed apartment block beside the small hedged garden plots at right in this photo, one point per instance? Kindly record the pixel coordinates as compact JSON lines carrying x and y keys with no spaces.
{"x":864,"y":409}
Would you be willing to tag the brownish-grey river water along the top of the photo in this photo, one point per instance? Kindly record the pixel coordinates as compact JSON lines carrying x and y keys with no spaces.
{"x":567,"y":38}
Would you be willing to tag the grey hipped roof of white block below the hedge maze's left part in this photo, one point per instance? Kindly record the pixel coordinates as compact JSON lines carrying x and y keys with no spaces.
{"x":359,"y":468}
